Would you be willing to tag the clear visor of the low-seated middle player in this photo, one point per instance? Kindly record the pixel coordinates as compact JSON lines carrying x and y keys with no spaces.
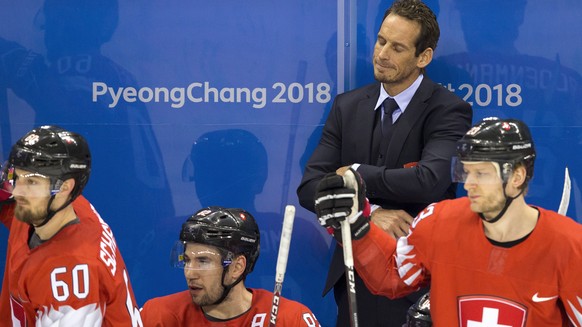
{"x":198,"y":258}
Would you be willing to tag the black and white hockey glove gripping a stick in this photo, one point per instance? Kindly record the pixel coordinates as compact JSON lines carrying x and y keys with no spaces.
{"x":343,"y":197}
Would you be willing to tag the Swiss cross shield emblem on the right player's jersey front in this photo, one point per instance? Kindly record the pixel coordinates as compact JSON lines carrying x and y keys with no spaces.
{"x":488,"y":311}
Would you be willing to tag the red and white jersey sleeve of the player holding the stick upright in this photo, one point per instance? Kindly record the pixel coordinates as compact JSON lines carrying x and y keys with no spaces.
{"x":394,"y":268}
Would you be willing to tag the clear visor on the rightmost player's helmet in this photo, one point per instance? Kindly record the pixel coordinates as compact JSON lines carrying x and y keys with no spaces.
{"x":479,"y":172}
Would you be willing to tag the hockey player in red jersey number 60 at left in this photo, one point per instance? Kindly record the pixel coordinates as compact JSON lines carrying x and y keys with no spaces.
{"x":63,"y":267}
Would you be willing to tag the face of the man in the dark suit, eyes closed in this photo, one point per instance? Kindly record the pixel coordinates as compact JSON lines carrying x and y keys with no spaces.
{"x":395,"y":63}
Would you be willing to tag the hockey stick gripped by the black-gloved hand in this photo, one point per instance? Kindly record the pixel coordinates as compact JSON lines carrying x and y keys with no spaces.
{"x":349,"y":261}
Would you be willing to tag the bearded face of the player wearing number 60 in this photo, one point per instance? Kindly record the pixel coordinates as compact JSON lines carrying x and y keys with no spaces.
{"x":32,"y":193}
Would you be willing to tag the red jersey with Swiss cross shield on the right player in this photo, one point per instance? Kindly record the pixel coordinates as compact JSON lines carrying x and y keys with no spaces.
{"x":474,"y":283}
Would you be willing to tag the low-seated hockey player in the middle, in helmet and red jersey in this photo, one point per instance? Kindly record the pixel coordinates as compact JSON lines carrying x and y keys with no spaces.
{"x":218,"y":248}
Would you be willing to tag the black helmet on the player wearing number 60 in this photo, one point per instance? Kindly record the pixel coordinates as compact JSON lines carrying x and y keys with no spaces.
{"x":55,"y":153}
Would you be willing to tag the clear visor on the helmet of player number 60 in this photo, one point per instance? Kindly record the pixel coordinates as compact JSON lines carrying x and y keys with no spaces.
{"x":28,"y":184}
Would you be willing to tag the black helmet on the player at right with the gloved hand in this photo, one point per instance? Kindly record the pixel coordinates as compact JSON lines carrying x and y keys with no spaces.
{"x":505,"y":141}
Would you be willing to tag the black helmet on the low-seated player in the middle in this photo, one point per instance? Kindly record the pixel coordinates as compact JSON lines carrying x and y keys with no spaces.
{"x":234,"y":230}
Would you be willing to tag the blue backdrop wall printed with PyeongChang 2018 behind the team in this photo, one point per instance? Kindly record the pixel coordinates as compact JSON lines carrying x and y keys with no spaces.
{"x":190,"y":104}
